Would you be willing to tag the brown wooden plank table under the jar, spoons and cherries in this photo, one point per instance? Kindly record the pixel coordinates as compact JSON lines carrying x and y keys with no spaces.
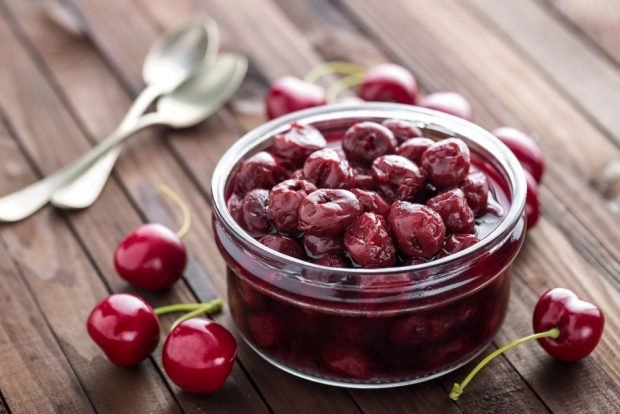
{"x":546,"y":66}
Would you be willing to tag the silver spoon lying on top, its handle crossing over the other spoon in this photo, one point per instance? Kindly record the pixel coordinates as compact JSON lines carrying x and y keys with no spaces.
{"x":205,"y":91}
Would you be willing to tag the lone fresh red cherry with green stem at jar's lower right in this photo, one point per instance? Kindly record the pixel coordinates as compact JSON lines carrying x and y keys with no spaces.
{"x":568,"y":328}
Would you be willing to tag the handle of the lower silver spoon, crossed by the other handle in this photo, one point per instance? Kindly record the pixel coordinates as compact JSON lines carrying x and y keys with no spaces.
{"x":82,"y":191}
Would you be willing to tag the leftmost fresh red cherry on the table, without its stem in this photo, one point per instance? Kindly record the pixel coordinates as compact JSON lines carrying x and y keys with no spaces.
{"x":125,"y":327}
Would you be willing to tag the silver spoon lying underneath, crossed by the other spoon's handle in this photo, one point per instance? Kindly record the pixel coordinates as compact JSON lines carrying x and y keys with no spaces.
{"x":169,"y":61}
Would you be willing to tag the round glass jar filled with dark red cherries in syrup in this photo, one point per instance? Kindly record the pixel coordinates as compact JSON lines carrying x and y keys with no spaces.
{"x":297,"y":293}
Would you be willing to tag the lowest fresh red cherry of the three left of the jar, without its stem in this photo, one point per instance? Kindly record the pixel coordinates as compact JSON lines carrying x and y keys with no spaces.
{"x":198,"y":355}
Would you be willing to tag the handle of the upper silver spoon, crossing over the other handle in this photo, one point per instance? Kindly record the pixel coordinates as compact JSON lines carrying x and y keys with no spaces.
{"x":23,"y":203}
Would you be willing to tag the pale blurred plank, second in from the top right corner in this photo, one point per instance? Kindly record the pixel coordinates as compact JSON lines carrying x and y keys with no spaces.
{"x":569,"y":60}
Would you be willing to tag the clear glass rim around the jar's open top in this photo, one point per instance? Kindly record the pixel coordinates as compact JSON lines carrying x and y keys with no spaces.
{"x":441,"y":122}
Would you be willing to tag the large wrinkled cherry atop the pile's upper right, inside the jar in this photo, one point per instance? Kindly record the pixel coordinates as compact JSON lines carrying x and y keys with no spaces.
{"x":447,"y":162}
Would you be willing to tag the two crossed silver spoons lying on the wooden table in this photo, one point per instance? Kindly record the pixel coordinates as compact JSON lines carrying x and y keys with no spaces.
{"x":189,"y":80}
